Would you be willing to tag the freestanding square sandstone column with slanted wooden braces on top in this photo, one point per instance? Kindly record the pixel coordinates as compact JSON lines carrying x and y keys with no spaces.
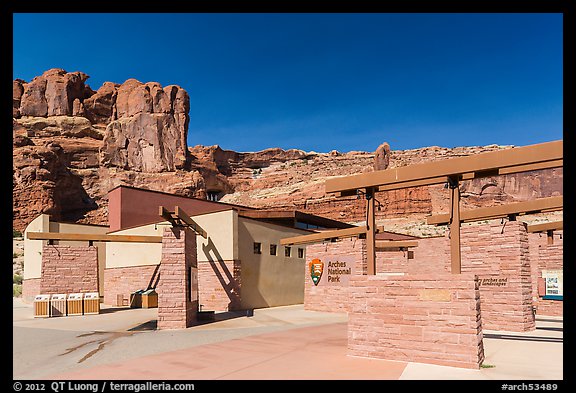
{"x":178,"y":283}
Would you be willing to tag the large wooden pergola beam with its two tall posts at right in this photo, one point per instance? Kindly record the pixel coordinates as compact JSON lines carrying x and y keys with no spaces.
{"x":451,"y":172}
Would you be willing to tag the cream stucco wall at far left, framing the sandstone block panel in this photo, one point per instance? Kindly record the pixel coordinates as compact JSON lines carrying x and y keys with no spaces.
{"x":33,"y":248}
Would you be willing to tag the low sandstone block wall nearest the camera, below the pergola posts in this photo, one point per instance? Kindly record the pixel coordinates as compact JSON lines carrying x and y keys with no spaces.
{"x":430,"y":318}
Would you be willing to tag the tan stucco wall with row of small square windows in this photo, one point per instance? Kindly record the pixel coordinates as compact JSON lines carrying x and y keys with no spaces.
{"x":269,"y":280}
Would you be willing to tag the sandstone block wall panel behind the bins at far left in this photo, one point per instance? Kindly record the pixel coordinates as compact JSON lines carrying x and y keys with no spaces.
{"x":68,"y":269}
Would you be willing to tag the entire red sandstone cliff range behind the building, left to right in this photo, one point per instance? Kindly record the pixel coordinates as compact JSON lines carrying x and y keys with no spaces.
{"x":71,"y":145}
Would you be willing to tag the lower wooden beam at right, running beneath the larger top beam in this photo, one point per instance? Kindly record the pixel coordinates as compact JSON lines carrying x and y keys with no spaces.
{"x":487,"y":213}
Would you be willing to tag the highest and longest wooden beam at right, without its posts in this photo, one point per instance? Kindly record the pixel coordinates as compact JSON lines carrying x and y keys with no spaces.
{"x":518,"y":159}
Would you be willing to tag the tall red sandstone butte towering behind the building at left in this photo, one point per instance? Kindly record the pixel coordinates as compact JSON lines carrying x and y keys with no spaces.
{"x":140,"y":129}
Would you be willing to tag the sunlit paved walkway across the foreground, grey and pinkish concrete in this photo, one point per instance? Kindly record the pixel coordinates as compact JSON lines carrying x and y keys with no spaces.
{"x":276,"y":343}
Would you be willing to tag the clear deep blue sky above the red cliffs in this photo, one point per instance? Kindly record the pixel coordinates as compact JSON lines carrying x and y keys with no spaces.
{"x":323,"y":81}
